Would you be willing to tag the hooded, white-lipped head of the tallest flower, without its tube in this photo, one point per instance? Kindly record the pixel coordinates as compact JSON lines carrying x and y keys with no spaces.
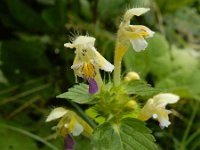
{"x":134,"y":33}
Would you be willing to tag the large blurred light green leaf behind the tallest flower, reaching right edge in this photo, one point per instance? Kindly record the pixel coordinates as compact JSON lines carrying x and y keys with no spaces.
{"x":174,"y":70}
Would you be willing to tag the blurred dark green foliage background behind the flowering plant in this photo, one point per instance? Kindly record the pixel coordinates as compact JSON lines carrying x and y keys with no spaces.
{"x":35,"y":67}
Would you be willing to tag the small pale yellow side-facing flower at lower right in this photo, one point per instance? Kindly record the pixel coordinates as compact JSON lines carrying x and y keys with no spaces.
{"x":155,"y":107}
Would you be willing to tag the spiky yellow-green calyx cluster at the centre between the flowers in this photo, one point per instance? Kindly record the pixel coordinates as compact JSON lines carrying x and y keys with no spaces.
{"x":113,"y":104}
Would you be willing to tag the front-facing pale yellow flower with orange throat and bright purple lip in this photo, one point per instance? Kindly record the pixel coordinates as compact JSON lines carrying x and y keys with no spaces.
{"x":88,"y":60}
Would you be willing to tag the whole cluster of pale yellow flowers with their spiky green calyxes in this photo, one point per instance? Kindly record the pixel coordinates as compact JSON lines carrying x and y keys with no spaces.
{"x":113,"y":101}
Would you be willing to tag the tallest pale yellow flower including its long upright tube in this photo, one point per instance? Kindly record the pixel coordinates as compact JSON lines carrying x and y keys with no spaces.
{"x":129,"y":34}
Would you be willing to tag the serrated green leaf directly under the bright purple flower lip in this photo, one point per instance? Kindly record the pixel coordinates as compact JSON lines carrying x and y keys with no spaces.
{"x":79,"y":94}
